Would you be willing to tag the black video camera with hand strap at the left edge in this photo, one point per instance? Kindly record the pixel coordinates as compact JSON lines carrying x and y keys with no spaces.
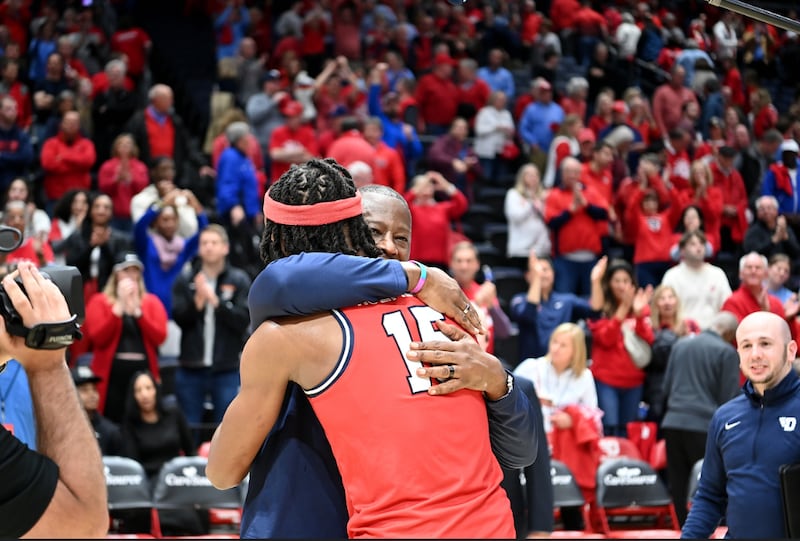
{"x":69,"y":282}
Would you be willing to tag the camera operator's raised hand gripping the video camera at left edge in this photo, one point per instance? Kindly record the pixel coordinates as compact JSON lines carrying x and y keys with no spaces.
{"x":44,"y":303}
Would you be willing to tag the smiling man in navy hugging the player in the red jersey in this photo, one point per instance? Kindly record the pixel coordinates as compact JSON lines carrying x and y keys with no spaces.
{"x":295,"y":489}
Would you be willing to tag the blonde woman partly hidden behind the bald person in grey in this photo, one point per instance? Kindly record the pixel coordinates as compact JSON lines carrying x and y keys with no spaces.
{"x":668,"y":323}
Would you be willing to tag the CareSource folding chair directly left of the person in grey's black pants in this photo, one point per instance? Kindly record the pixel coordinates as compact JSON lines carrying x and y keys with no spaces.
{"x":631,"y":494}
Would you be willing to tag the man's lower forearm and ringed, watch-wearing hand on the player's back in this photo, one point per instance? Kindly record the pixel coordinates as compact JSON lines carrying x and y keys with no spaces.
{"x":512,"y":430}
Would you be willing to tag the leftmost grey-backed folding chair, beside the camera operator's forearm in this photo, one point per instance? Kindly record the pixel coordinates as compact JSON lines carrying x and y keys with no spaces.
{"x":129,"y":501}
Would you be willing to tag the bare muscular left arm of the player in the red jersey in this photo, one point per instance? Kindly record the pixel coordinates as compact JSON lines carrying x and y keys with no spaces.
{"x":265,"y":369}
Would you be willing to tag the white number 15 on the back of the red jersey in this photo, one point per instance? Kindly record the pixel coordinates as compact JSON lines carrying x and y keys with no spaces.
{"x":394,"y":324}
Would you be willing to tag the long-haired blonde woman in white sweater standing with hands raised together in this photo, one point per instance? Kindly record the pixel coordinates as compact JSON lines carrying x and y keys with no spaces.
{"x":524,"y":210}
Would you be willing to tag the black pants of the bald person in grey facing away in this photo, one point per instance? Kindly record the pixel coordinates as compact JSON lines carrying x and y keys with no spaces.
{"x":684,"y":448}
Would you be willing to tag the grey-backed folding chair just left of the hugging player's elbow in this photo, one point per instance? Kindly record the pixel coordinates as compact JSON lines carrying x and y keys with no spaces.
{"x":188,"y":505}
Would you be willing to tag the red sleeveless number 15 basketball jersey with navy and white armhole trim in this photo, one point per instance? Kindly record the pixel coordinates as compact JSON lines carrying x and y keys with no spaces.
{"x":413,"y":465}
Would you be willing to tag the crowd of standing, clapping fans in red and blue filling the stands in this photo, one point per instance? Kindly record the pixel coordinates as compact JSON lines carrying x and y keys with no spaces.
{"x":645,"y":153}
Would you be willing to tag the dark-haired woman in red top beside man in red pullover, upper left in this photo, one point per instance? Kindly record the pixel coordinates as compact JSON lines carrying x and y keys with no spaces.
{"x":121,"y":177}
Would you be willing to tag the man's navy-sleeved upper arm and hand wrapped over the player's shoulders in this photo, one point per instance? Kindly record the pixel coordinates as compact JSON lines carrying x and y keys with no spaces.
{"x":313,"y":282}
